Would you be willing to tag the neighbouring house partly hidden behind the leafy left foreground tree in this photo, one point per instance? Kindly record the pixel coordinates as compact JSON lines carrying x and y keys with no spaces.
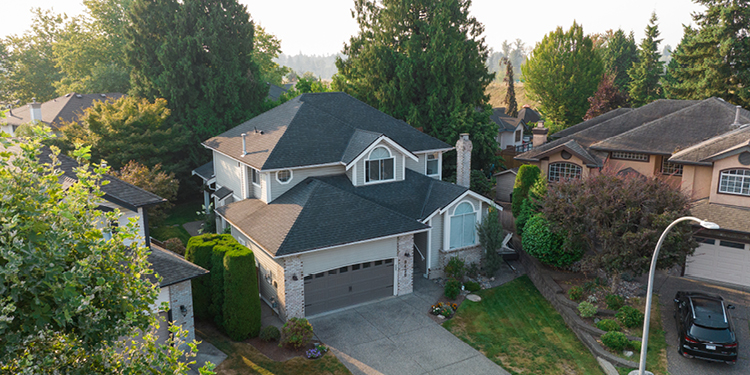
{"x":176,"y":272}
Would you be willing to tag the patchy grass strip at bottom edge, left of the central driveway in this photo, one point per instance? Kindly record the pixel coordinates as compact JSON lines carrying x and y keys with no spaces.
{"x":243,"y":358}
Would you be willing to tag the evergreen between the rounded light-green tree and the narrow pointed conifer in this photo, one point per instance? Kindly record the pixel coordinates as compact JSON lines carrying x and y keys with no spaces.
{"x":619,"y":53}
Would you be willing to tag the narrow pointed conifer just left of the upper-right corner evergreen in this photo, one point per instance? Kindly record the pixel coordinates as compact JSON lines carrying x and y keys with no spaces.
{"x":645,"y":74}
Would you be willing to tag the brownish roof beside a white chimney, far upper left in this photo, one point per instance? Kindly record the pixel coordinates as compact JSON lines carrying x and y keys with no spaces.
{"x":59,"y":110}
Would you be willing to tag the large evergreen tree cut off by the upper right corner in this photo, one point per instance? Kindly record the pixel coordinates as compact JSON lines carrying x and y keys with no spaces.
{"x":714,"y":58}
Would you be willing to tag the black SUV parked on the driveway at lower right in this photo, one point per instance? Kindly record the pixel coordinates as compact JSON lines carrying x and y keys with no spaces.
{"x":704,"y":327}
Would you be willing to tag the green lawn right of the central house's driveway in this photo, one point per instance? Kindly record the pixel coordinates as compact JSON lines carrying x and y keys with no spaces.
{"x":518,"y":329}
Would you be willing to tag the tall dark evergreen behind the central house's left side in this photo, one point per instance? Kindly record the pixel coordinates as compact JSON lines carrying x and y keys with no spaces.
{"x":197,"y":54}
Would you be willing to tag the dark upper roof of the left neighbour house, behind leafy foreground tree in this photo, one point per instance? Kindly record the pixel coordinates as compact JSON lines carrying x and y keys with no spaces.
{"x":117,"y":191}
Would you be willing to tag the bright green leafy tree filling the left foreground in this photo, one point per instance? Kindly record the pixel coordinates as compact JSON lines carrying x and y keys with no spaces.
{"x":71,"y":297}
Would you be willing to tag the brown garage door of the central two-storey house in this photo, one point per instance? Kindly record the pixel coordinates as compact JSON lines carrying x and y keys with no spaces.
{"x":348,"y":286}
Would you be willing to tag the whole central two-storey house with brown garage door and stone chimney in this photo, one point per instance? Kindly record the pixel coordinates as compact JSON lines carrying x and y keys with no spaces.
{"x":340,"y":203}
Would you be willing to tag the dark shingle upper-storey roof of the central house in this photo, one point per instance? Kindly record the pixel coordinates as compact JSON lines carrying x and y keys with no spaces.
{"x":313,"y":129}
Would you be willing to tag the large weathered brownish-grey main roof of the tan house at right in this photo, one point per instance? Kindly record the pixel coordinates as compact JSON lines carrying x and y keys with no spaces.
{"x":677,"y":130}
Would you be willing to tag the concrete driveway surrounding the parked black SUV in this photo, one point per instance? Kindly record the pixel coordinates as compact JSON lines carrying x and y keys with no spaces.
{"x":666,"y":286}
